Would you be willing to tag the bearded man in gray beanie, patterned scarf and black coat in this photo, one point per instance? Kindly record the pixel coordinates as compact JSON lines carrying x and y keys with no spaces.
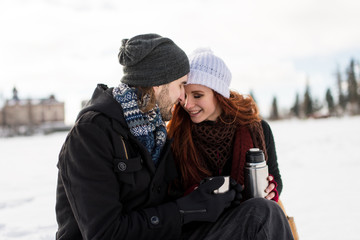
{"x":115,"y":165}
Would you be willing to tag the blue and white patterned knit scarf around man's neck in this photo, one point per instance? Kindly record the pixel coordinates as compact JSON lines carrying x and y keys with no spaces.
{"x":148,"y":128}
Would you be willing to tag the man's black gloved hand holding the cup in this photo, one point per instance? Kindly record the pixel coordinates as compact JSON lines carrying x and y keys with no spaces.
{"x":202,"y":204}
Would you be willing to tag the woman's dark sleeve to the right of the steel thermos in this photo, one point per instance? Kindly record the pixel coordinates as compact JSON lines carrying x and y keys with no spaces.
{"x":272,"y":158}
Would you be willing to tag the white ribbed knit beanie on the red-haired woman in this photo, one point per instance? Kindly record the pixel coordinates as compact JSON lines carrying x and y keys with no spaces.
{"x":209,"y":70}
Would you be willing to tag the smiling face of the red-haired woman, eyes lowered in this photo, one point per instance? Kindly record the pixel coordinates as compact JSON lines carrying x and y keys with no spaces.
{"x":200,"y":103}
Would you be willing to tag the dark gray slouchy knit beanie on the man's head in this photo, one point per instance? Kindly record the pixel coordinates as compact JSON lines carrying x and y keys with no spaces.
{"x":152,"y":60}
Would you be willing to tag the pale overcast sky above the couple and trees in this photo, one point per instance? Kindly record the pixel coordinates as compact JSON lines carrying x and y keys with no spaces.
{"x":66,"y":47}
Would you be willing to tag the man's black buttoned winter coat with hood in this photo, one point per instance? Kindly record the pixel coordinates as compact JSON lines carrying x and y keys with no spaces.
{"x":108,"y":186}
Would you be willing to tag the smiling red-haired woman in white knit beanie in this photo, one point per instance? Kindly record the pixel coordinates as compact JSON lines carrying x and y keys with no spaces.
{"x":214,"y":127}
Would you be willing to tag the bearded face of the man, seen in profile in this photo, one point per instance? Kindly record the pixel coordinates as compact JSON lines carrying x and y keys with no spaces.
{"x":168,"y":95}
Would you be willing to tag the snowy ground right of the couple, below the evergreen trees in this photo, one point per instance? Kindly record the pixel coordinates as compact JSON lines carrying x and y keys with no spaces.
{"x":320,"y":164}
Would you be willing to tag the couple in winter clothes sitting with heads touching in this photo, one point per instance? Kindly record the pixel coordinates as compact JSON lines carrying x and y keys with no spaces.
{"x":120,"y":177}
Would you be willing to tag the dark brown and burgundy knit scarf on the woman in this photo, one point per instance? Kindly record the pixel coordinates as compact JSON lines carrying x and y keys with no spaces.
{"x":217,"y":142}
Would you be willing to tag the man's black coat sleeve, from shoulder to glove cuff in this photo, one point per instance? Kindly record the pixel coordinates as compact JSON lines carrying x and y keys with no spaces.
{"x":93,"y":191}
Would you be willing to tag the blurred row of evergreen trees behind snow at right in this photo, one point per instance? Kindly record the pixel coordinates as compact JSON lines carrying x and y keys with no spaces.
{"x":345,"y":101}
